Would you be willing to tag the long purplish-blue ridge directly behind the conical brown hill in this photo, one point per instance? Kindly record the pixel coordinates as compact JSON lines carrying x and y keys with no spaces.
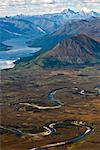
{"x":90,"y":27}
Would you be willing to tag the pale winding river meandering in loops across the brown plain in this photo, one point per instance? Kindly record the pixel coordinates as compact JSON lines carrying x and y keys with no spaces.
{"x":50,"y":129}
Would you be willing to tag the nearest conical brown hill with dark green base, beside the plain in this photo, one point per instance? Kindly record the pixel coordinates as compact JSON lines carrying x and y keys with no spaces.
{"x":77,"y":50}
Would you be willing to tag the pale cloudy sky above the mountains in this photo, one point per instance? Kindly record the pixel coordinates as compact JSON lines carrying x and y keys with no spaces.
{"x":36,"y":7}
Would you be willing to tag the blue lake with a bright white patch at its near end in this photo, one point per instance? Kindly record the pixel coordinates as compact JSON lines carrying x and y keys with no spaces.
{"x":19,"y":49}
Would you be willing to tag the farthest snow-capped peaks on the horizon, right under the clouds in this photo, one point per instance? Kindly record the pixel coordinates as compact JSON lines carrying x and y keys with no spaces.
{"x":50,"y":22}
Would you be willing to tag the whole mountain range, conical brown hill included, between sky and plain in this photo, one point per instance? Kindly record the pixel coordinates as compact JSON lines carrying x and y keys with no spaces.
{"x":66,"y":38}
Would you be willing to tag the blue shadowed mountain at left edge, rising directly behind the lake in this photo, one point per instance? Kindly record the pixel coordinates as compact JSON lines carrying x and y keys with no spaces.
{"x":12,"y":28}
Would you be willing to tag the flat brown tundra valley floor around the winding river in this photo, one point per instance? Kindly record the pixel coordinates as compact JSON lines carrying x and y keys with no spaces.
{"x":32,"y":86}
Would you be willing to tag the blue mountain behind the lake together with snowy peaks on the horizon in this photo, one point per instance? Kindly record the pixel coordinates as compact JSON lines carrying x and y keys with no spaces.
{"x":34,"y":27}
